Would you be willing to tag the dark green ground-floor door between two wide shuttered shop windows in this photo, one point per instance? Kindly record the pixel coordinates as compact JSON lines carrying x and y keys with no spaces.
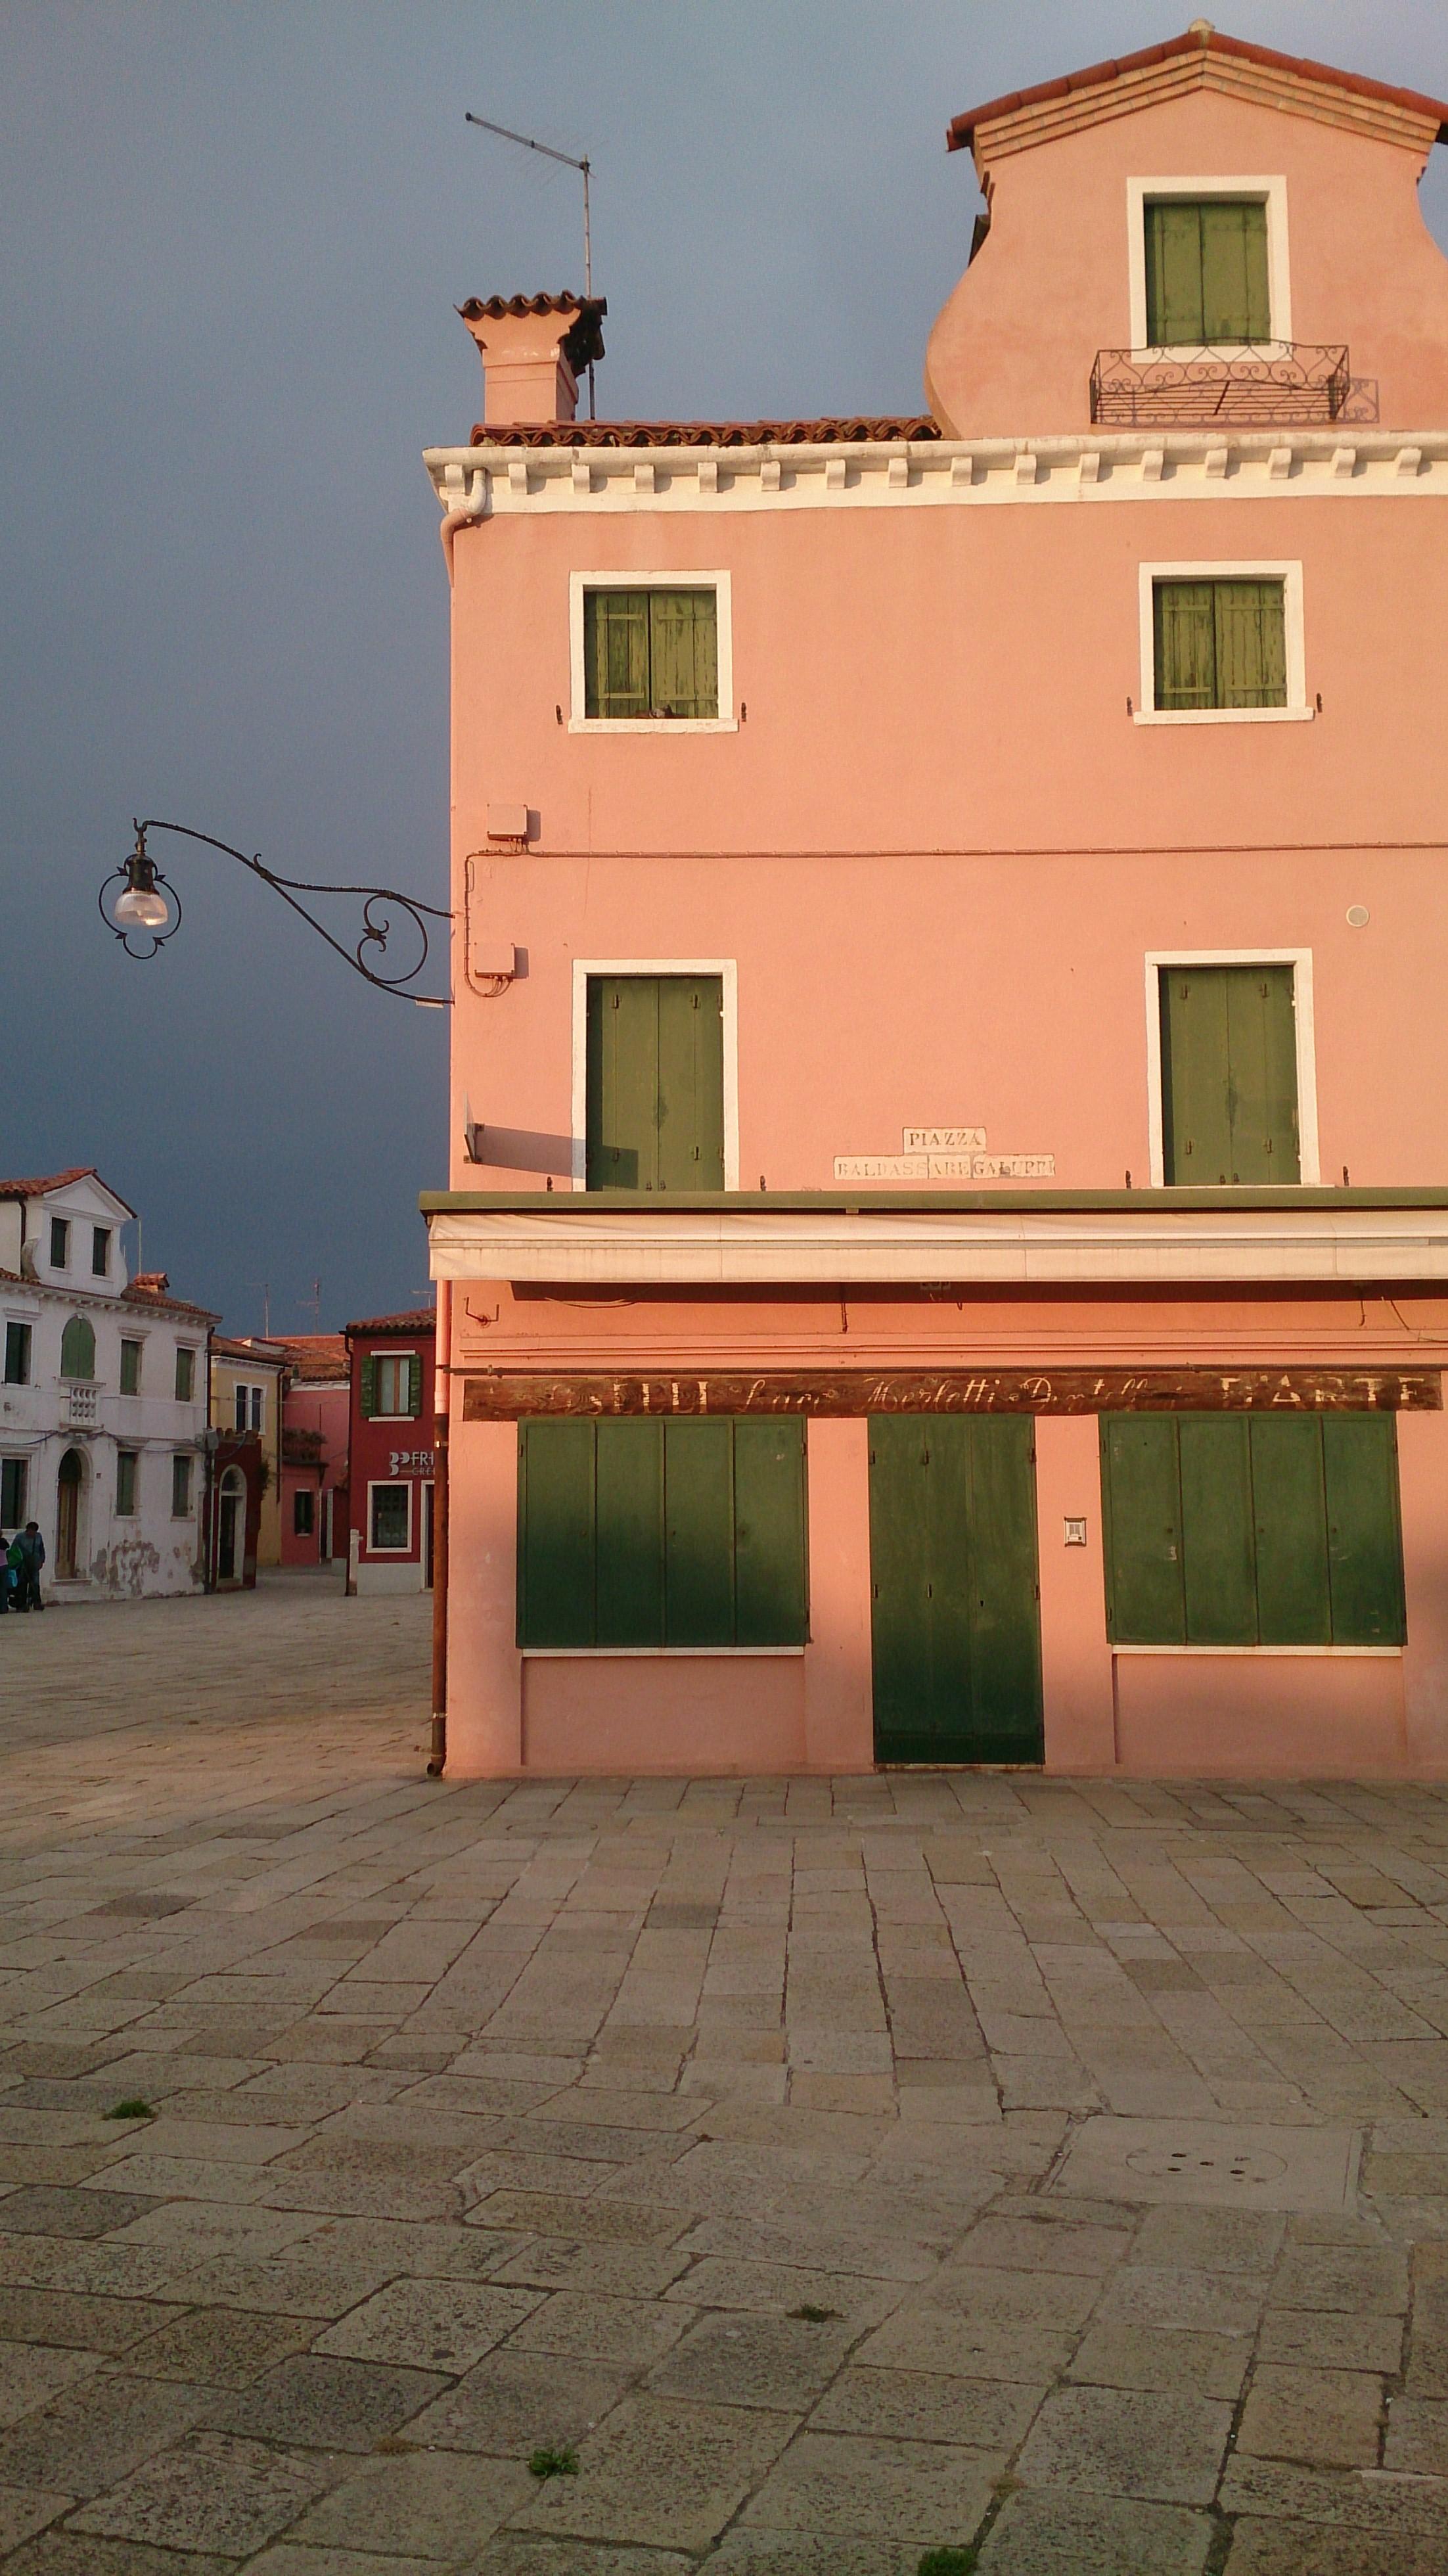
{"x":955,"y":1616}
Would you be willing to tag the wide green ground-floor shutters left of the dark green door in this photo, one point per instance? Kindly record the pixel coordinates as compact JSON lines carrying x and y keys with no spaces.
{"x":687,"y":1531}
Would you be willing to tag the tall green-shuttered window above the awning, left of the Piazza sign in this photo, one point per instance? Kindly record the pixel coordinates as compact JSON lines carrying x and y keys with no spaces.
{"x":656,"y":1083}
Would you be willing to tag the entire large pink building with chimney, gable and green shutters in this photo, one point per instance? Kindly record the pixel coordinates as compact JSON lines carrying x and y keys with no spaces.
{"x":947,"y":1253}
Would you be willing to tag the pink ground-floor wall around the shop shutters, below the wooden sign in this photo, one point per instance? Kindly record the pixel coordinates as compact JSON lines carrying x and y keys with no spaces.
{"x":1135,"y":1714}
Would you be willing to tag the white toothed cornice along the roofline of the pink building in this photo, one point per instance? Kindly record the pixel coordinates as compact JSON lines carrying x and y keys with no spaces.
{"x":929,"y":473}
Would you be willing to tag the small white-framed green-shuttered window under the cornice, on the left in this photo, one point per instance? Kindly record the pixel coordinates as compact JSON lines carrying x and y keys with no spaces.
{"x":651,"y":656}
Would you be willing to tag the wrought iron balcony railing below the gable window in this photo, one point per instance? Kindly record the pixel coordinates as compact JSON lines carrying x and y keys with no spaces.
{"x":1287,"y":385}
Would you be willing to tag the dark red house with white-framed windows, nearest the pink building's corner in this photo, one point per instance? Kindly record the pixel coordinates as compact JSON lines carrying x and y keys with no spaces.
{"x":390,"y":1452}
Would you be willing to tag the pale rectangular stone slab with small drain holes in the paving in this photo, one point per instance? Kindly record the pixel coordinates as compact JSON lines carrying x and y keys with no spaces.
{"x":1212,"y":2165}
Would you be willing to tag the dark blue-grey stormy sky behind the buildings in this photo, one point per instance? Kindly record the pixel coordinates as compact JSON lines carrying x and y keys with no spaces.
{"x":233,"y":241}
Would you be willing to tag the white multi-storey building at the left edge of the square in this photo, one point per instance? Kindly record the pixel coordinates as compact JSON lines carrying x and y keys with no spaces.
{"x":102,"y":1400}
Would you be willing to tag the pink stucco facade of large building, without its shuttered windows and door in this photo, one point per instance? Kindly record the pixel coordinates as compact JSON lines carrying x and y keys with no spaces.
{"x":939,"y":846}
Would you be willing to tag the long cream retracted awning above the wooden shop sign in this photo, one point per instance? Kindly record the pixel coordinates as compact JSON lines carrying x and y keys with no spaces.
{"x":1016,"y":1248}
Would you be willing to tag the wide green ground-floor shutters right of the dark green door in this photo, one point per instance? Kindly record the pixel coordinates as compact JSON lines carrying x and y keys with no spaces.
{"x":1251,"y":1529}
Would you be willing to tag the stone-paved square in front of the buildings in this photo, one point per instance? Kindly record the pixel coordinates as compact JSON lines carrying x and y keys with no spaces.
{"x":715,"y":2129}
